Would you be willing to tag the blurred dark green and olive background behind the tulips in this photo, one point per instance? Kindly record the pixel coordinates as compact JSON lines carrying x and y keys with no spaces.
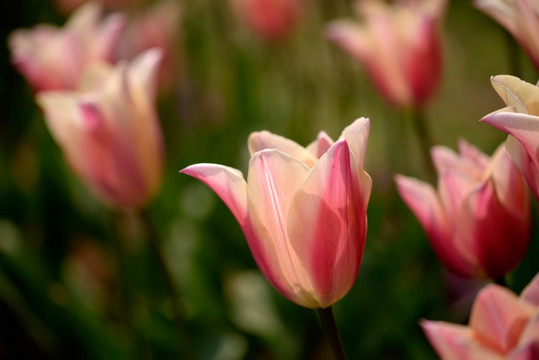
{"x":80,"y":281}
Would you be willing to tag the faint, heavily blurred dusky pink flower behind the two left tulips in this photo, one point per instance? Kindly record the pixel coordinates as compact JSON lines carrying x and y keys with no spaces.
{"x":157,"y":27}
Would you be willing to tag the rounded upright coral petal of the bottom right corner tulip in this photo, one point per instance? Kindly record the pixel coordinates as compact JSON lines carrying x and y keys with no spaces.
{"x":498,"y":318}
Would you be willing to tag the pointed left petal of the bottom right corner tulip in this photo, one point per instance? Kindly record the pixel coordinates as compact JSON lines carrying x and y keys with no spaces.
{"x":455,"y":342}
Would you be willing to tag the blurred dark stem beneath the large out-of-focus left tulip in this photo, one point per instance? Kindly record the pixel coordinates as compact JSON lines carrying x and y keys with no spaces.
{"x":177,"y":312}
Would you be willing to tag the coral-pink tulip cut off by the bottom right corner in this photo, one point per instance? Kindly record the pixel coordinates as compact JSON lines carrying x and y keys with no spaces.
{"x":502,"y":327}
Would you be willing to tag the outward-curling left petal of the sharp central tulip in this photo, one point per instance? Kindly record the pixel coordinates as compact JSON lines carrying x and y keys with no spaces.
{"x":227,"y":183}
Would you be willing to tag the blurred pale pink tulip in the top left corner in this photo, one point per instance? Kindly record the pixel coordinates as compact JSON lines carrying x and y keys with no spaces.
{"x":54,"y":59}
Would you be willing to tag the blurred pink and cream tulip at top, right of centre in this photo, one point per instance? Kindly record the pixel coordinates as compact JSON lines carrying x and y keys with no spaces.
{"x":400,"y":46}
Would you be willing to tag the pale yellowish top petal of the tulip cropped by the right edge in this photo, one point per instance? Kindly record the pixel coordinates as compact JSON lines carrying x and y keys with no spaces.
{"x":517,"y":93}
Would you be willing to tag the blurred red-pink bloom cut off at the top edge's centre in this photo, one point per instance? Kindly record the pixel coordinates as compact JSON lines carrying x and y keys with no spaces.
{"x":271,"y":19}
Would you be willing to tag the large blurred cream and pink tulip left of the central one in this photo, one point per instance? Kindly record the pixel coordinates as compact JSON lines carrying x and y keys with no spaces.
{"x":109,"y":130}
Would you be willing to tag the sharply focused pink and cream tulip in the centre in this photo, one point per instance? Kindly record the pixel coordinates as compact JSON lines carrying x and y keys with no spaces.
{"x":302,"y":210}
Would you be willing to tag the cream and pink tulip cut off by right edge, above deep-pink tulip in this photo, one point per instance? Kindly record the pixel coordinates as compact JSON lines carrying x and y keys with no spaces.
{"x":520,"y":119}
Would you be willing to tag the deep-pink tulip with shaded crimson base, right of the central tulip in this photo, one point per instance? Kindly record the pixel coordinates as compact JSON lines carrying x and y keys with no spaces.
{"x":478,"y":221}
